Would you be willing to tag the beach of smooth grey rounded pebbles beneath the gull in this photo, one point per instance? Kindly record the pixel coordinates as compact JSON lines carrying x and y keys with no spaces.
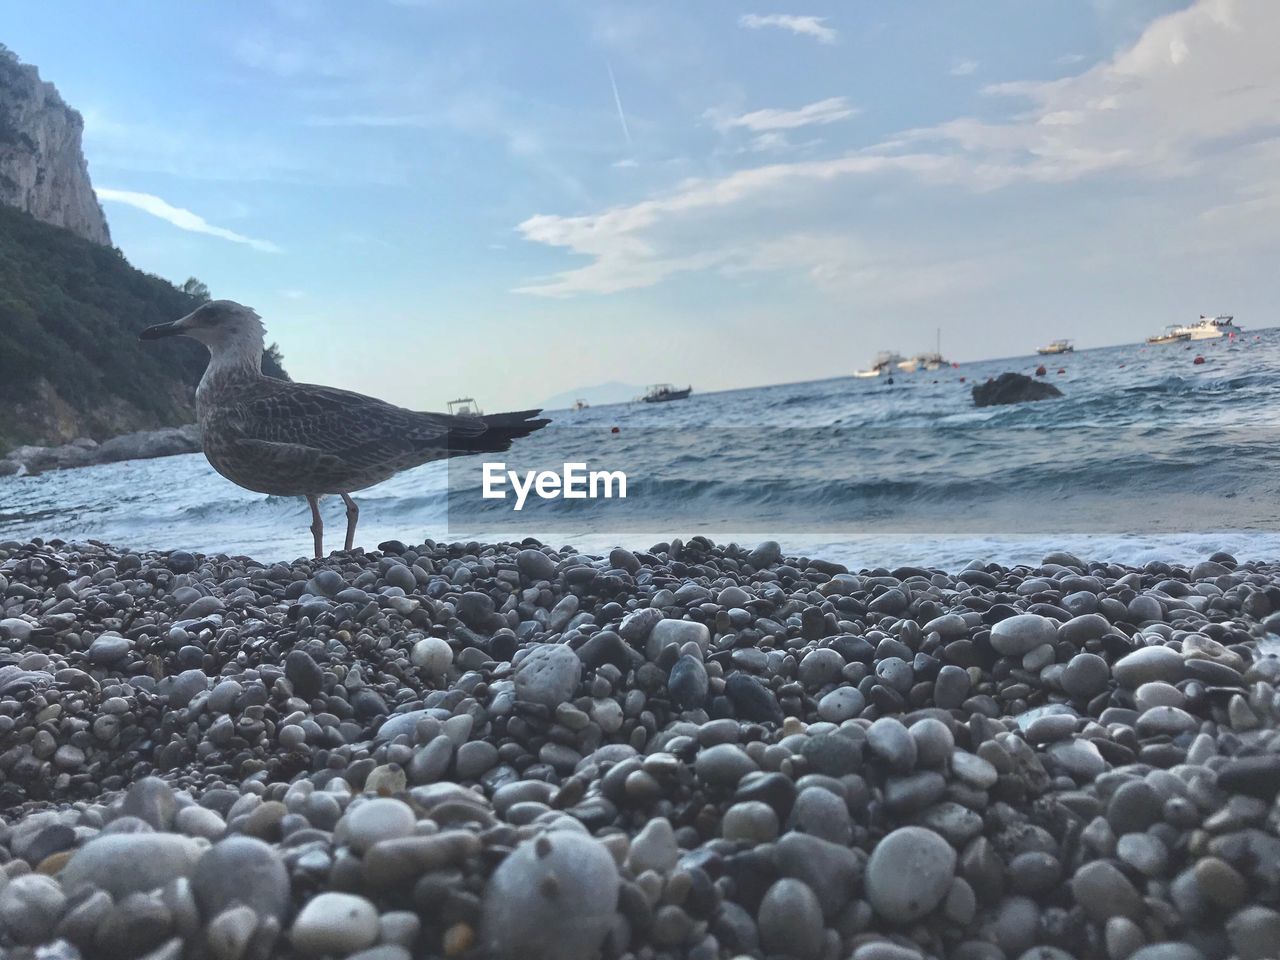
{"x":698,"y":751}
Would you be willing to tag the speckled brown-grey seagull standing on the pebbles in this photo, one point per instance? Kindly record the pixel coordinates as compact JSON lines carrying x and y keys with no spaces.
{"x":298,"y":440}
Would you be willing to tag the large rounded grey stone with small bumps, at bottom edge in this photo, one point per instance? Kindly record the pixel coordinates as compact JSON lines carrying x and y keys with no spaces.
{"x":552,"y":899}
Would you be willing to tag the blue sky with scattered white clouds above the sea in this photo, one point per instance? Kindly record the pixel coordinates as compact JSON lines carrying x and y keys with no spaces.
{"x":429,"y":199}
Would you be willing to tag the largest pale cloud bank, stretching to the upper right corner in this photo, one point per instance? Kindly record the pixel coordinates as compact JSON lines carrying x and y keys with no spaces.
{"x":1185,"y":113}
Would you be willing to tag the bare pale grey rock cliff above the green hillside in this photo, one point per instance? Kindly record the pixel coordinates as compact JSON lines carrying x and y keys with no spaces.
{"x":43,"y":171}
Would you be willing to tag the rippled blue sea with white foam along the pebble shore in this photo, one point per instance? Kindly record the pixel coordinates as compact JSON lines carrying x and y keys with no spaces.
{"x":1149,"y":455}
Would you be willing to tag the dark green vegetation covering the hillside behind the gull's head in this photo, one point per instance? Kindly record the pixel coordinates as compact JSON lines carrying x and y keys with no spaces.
{"x":70,"y":317}
